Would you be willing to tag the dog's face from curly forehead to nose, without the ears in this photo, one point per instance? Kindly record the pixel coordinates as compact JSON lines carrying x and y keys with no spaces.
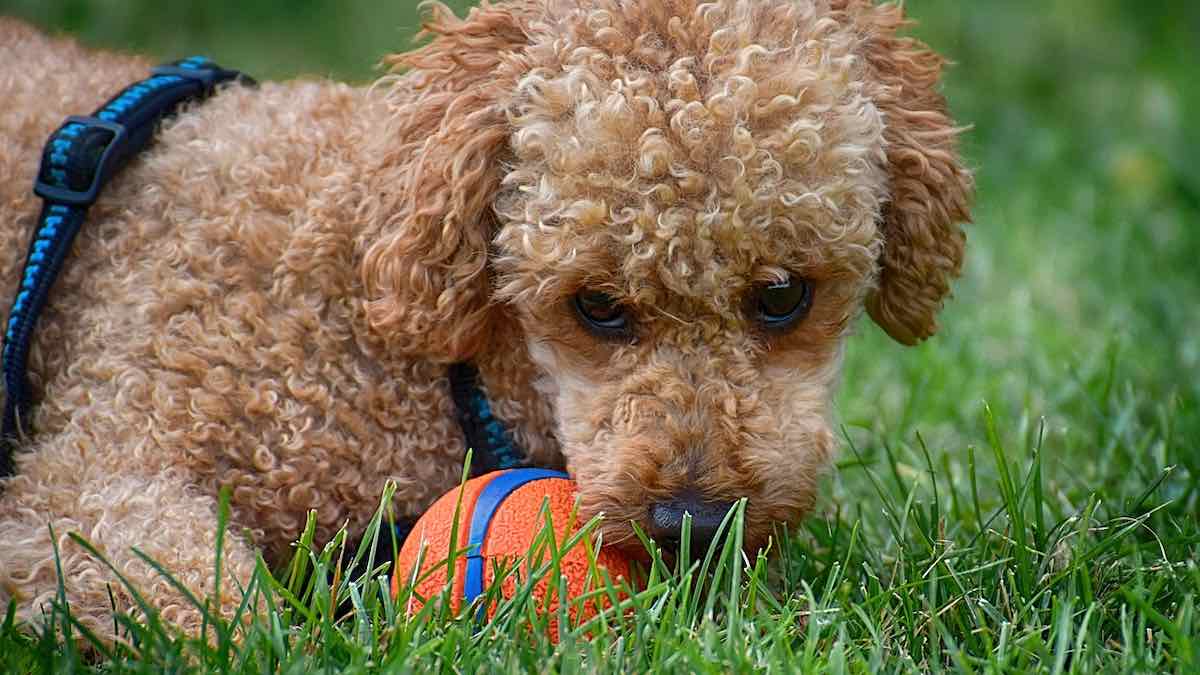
{"x":687,"y":236}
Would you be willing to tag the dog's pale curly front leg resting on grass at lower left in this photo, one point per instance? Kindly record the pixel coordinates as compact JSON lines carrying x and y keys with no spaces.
{"x":158,"y":511}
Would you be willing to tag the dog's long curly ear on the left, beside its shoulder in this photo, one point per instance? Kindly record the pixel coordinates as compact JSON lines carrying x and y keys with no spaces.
{"x":425,"y":273}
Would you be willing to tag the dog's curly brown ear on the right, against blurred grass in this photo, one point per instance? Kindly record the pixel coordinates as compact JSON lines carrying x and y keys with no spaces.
{"x":931,"y":189}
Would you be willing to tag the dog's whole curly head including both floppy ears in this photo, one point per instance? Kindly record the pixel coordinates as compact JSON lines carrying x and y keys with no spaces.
{"x":685,"y":206}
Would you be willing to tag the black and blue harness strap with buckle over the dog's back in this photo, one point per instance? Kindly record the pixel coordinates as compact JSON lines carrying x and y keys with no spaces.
{"x":79,"y":160}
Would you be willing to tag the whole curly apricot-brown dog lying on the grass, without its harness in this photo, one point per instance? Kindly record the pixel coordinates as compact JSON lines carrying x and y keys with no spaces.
{"x":650,"y":225}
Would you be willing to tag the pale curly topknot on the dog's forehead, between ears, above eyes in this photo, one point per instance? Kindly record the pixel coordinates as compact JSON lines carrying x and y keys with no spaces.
{"x":699,"y":153}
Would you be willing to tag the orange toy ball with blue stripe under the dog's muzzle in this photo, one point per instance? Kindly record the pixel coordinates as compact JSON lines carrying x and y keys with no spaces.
{"x":501,"y":515}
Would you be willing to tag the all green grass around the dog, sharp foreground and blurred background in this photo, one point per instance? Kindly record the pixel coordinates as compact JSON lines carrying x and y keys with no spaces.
{"x":1019,"y":494}
